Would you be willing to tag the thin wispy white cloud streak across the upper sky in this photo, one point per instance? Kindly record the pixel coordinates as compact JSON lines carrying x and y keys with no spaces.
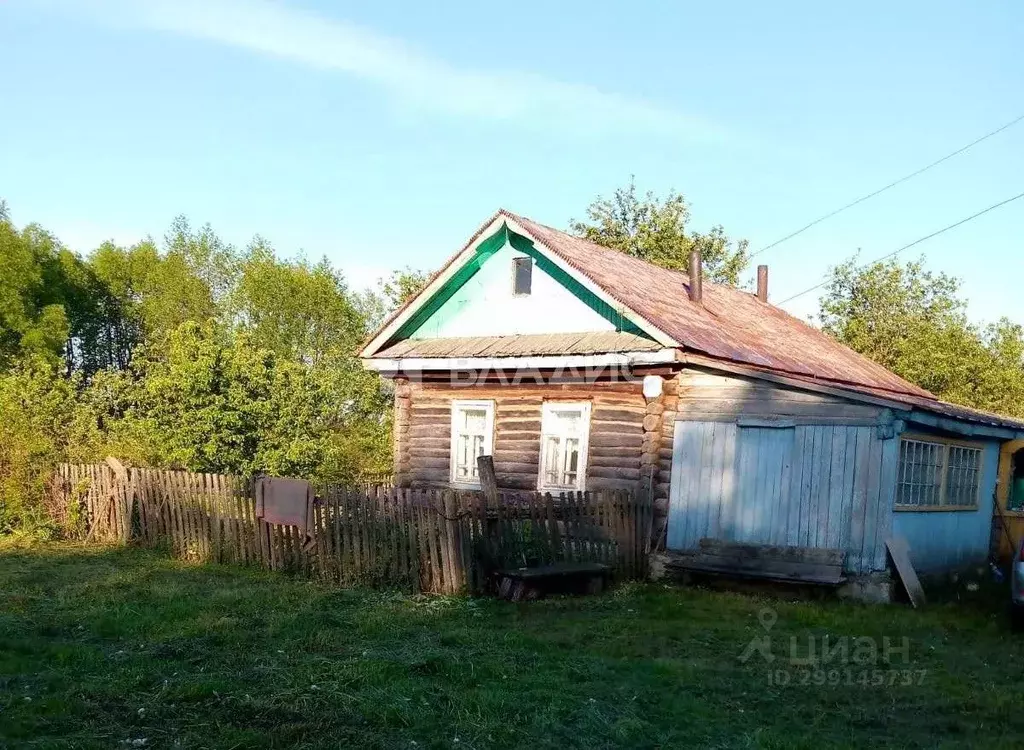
{"x":412,"y":77}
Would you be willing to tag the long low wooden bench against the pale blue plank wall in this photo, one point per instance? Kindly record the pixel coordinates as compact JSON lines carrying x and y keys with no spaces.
{"x":787,"y":565}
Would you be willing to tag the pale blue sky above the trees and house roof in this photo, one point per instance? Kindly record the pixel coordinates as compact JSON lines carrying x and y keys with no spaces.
{"x":381,"y":135}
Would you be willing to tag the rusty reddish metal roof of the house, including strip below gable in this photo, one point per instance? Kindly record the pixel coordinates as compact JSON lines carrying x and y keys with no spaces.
{"x":730,"y":326}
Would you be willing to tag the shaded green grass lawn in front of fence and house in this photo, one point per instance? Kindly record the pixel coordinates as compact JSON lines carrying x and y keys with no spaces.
{"x":102,"y":647}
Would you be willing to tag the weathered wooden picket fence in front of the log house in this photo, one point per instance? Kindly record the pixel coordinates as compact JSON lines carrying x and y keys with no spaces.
{"x":421,"y":540}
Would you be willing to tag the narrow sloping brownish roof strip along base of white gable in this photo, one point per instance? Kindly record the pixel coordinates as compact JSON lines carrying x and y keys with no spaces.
{"x":531,"y":346}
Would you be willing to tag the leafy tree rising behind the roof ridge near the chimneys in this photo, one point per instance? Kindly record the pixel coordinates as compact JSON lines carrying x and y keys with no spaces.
{"x":656,"y":230}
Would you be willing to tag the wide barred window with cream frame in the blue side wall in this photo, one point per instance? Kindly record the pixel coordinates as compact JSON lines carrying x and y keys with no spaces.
{"x":937,"y":475}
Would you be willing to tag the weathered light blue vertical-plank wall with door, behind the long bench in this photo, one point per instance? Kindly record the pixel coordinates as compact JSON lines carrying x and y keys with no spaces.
{"x":815,"y":486}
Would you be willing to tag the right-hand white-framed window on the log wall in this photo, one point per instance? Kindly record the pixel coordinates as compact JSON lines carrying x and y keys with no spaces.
{"x":565,"y":431}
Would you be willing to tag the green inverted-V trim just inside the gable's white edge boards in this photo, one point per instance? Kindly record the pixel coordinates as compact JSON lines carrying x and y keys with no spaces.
{"x":523,"y":244}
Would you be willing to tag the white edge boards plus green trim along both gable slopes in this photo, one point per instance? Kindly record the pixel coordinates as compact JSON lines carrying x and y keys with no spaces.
{"x":493,"y":237}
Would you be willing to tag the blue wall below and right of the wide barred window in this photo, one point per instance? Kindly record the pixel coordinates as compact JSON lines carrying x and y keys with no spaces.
{"x":955,"y":539}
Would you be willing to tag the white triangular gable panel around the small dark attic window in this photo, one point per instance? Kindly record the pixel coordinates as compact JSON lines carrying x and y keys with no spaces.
{"x":485,"y":306}
